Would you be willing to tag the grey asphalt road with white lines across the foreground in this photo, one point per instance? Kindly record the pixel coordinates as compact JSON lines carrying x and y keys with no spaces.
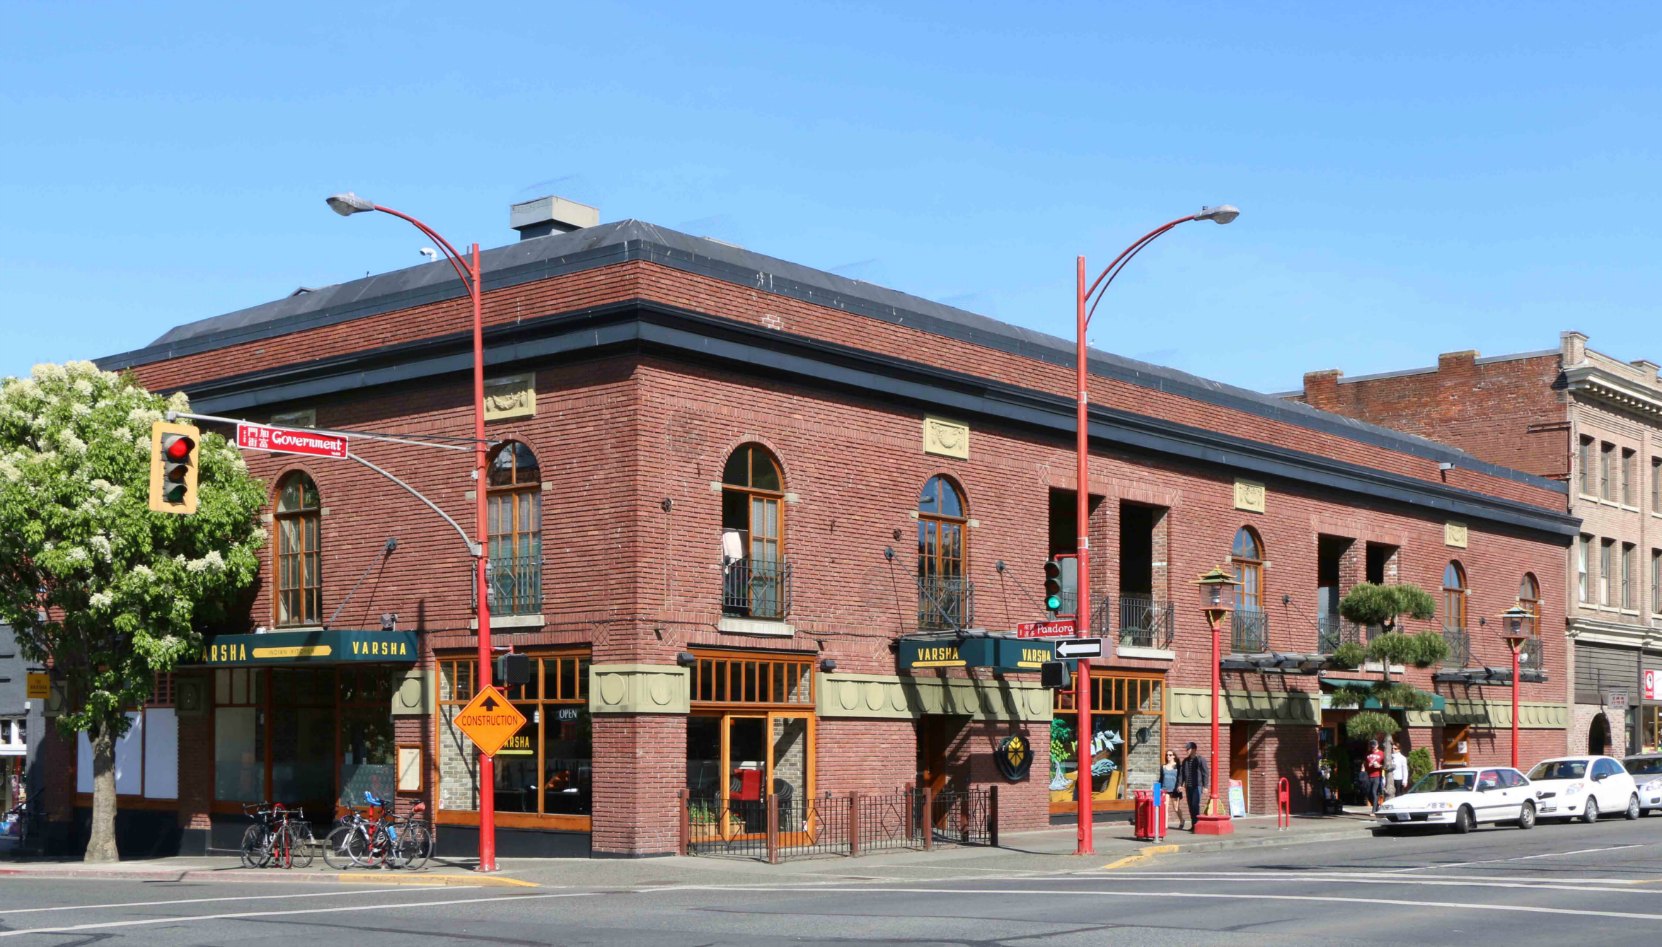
{"x":1560,"y":885}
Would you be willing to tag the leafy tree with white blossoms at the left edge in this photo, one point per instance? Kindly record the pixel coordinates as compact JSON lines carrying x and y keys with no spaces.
{"x":96,"y":582}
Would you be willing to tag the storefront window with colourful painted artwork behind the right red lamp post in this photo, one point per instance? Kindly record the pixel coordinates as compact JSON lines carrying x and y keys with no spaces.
{"x":1126,"y":742}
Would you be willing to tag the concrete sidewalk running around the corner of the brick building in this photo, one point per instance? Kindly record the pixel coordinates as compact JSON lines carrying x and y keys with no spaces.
{"x":1046,"y":851}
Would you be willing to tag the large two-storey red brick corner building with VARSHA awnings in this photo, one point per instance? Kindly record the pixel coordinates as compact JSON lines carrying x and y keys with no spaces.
{"x":762,"y":527}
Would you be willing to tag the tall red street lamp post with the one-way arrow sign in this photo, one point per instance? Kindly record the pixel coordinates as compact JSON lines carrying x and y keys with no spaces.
{"x":1084,"y":310}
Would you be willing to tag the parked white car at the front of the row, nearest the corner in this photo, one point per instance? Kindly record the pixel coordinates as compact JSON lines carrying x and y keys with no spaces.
{"x":1462,"y":800}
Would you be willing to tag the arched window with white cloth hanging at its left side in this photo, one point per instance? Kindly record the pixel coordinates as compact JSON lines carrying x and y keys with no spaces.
{"x":755,"y":571}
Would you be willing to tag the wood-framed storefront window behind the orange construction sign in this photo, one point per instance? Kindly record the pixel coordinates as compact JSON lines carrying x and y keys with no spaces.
{"x":548,"y":767}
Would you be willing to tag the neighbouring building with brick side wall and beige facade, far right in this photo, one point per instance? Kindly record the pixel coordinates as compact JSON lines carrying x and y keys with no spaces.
{"x":1590,"y":421}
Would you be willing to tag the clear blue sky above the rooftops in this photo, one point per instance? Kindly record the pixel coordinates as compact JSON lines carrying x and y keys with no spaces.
{"x":1415,"y":179}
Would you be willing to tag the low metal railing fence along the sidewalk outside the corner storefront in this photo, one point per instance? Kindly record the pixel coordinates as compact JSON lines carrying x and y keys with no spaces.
{"x":782,"y":828}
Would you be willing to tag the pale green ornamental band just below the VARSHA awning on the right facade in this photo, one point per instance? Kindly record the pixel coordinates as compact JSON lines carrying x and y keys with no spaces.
{"x":903,"y":697}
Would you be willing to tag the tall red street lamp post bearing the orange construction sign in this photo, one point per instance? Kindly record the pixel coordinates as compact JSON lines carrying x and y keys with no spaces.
{"x":466,"y":268}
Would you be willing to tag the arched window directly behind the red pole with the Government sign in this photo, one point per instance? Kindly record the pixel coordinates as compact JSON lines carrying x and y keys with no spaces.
{"x":514,"y":498}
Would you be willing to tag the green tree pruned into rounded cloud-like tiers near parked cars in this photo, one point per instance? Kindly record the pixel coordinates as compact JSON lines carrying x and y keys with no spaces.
{"x":1372,"y":606}
